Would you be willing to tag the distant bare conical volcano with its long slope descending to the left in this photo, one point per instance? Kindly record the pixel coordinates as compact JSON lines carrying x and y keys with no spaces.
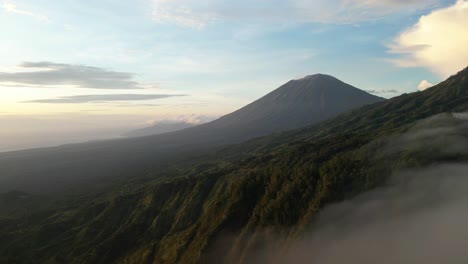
{"x":295,"y":104}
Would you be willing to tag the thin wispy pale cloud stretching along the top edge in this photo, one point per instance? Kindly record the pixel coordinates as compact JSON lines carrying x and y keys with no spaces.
{"x":198,"y":14}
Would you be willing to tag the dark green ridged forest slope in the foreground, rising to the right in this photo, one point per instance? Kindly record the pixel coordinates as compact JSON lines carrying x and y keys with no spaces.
{"x":224,"y":212}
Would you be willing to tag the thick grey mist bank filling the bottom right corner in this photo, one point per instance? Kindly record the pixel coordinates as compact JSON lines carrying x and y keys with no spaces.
{"x":420,"y":218}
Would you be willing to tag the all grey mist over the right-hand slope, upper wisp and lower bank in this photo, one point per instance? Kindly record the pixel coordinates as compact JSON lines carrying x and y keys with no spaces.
{"x":419,"y":216}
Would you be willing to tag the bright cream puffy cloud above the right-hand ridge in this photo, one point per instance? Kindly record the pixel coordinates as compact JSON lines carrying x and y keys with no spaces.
{"x":437,"y":41}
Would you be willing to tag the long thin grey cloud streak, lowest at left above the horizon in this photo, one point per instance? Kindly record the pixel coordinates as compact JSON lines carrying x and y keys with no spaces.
{"x":102,"y":98}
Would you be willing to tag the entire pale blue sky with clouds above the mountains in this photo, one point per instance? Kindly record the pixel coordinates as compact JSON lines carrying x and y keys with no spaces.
{"x":99,"y":68}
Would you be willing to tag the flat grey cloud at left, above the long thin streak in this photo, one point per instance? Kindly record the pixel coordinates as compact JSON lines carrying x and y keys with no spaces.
{"x":51,"y":74}
